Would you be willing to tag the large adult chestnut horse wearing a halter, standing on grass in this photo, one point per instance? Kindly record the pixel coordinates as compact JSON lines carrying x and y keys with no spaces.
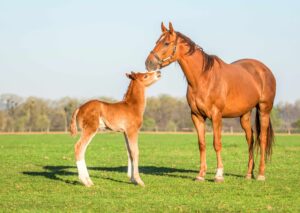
{"x":219,"y":90}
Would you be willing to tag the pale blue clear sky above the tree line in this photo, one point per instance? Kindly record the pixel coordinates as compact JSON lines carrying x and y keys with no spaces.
{"x":82,"y":49}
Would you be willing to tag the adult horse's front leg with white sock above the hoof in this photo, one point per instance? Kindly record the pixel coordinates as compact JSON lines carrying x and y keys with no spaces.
{"x":217,"y":128}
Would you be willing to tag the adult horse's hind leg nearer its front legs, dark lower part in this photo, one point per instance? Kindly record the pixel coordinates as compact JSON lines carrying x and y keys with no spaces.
{"x":246,"y":125}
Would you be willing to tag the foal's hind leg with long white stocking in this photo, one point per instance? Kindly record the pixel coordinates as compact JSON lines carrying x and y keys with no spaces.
{"x":80,"y":148}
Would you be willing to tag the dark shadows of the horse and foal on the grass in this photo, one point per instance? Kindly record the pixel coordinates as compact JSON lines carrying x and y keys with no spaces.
{"x":54,"y":172}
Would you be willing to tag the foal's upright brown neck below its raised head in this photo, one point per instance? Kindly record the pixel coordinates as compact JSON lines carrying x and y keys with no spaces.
{"x":136,"y":96}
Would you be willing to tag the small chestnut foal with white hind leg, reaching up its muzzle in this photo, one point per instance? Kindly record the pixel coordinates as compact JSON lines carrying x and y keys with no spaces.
{"x":125,"y":116}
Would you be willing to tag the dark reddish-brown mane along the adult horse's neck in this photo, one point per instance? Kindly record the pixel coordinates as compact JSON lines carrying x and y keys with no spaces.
{"x":208,"y":60}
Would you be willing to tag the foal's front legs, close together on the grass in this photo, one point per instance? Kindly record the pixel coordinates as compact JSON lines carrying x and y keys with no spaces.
{"x":131,"y":139}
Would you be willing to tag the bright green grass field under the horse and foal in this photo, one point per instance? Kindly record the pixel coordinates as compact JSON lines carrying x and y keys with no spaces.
{"x":38,"y":174}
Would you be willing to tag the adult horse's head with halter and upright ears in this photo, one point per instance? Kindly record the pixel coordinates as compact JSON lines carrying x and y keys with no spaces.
{"x":165,"y":50}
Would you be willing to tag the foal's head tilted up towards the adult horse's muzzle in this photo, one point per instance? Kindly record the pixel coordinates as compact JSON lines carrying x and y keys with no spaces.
{"x":146,"y":79}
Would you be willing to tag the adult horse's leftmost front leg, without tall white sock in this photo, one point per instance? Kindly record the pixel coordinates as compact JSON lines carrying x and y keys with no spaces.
{"x":199,"y":123}
